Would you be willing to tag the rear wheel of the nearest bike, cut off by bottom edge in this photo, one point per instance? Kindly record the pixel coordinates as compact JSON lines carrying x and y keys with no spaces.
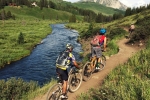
{"x":54,"y":92}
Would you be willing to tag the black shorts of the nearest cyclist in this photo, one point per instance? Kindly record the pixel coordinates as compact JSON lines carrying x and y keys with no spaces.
{"x":63,"y":73}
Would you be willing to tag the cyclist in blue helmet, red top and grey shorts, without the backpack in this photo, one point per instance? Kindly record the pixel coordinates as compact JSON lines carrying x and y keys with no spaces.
{"x":97,"y":50}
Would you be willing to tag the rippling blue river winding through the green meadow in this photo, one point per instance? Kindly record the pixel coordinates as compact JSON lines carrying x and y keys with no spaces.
{"x":40,"y":64}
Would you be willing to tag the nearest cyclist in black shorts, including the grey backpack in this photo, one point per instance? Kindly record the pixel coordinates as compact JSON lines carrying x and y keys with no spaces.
{"x":62,"y":64}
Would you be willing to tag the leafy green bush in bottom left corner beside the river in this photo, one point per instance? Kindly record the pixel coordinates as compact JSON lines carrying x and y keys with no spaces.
{"x":14,"y":89}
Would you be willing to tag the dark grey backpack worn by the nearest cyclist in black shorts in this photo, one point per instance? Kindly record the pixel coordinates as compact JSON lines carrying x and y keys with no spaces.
{"x":62,"y":59}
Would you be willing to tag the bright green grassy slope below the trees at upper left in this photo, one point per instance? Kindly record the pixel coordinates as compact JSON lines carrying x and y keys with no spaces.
{"x":35,"y":12}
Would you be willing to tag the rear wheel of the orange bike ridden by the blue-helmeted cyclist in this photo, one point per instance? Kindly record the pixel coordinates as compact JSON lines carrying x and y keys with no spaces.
{"x":87,"y":71}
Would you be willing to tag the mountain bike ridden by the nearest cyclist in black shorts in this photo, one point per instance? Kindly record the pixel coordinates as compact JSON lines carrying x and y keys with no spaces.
{"x":74,"y":83}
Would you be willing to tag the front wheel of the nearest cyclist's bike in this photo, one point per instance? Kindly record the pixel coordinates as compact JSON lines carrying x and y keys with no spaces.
{"x":75,"y":81}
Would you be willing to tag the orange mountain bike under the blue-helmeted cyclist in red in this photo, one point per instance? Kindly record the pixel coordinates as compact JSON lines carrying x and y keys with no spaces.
{"x":90,"y":67}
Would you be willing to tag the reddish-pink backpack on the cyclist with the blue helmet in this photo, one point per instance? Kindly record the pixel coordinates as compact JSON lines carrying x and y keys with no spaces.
{"x":97,"y":40}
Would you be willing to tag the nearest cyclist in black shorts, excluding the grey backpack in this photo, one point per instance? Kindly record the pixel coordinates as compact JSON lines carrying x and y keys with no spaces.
{"x":62,"y":70}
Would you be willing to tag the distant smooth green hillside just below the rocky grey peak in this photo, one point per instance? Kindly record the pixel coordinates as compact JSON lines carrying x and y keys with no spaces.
{"x":98,"y":8}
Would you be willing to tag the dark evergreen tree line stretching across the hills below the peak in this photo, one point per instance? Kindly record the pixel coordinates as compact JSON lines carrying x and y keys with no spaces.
{"x":89,"y":15}
